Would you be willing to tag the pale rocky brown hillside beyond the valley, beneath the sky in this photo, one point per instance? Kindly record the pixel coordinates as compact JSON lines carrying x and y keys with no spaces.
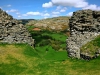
{"x":52,"y":24}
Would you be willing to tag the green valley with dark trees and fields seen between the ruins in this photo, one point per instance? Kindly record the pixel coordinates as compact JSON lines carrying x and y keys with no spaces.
{"x":46,"y":38}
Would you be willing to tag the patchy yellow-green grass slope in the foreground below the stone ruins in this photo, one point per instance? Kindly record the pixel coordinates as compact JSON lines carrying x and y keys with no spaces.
{"x":23,"y":60}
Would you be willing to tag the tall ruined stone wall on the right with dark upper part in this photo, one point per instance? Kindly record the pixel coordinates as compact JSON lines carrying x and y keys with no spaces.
{"x":84,"y":27}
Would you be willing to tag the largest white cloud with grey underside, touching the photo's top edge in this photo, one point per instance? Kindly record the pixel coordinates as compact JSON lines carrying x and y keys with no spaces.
{"x":73,"y":3}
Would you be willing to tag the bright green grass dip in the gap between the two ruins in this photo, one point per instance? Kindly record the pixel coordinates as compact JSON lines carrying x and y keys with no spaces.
{"x":47,"y":52}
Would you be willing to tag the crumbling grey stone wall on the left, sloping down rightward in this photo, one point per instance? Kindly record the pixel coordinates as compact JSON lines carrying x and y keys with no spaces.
{"x":11,"y":31}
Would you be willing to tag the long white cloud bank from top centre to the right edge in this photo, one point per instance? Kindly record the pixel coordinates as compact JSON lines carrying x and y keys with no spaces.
{"x":71,"y":3}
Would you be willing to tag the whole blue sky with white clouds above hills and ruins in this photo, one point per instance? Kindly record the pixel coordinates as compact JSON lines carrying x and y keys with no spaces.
{"x":42,"y":9}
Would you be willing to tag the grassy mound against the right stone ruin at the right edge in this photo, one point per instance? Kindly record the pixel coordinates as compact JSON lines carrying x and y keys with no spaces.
{"x":91,"y":47}
